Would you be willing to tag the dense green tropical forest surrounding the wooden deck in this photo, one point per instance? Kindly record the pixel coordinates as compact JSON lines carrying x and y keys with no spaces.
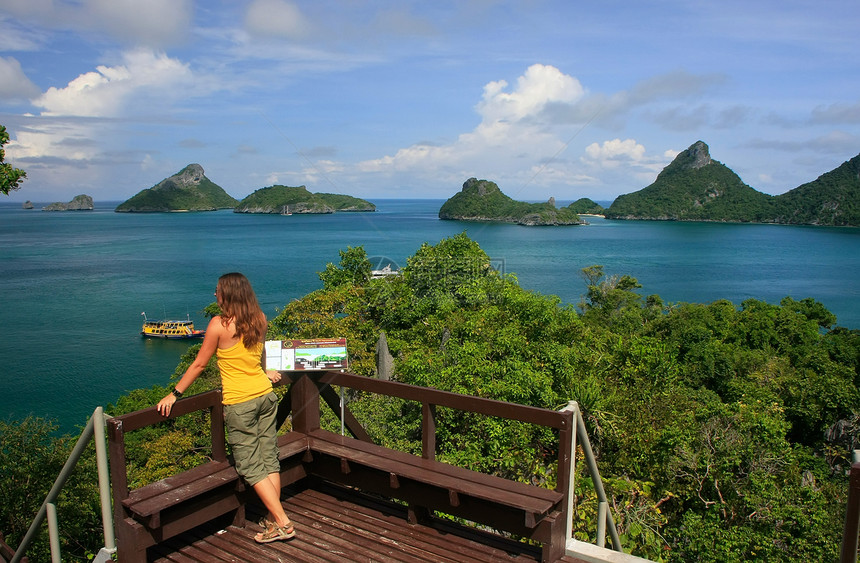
{"x":722,"y":431}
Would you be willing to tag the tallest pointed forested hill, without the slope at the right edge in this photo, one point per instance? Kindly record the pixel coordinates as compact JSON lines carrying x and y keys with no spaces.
{"x":694,"y":187}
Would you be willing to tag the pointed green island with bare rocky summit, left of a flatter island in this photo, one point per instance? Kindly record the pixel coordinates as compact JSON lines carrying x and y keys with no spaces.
{"x":187,"y":190}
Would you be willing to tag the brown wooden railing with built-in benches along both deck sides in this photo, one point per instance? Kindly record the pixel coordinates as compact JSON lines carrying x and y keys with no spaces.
{"x":155,"y":512}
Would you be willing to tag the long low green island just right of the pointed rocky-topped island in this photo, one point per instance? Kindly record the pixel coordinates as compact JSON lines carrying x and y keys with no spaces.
{"x":286,"y":200}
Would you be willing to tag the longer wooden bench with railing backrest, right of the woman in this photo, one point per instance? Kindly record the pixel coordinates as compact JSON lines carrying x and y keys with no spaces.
{"x":425,"y":484}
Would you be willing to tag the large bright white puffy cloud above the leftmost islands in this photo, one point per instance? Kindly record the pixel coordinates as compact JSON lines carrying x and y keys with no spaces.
{"x":108,"y":91}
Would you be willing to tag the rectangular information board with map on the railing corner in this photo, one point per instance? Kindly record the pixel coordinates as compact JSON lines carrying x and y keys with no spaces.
{"x":308,"y":354}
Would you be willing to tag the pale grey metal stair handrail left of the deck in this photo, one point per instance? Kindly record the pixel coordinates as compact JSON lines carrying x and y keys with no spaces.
{"x":94,"y":427}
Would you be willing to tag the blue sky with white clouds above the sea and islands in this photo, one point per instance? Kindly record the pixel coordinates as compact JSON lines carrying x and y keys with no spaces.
{"x":408,"y":99}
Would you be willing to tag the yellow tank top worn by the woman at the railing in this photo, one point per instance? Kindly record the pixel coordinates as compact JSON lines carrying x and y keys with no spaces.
{"x":242,"y":375}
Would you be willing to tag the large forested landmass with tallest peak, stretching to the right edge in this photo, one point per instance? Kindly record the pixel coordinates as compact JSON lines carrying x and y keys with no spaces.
{"x":694,"y":187}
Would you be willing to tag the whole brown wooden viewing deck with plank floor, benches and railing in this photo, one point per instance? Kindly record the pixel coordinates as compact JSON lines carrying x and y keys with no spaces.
{"x":351,"y":499}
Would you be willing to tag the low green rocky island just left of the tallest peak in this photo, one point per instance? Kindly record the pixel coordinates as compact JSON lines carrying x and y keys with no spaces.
{"x":482,"y":200}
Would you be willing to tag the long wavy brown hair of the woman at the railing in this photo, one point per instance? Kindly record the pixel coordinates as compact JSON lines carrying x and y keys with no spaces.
{"x":239,"y":304}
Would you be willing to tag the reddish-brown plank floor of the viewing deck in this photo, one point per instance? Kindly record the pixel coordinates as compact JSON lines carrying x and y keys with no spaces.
{"x":334,"y":524}
